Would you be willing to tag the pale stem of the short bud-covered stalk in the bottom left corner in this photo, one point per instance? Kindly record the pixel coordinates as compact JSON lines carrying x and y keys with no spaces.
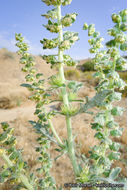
{"x":22,"y":177}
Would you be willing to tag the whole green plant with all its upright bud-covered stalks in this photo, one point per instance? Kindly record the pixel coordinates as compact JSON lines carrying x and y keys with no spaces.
{"x":98,"y":167}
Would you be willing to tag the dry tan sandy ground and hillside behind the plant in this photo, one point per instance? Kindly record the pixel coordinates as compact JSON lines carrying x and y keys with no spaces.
{"x":16,"y":109}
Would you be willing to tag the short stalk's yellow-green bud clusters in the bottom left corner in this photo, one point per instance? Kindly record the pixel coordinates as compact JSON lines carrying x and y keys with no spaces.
{"x":8,"y":144}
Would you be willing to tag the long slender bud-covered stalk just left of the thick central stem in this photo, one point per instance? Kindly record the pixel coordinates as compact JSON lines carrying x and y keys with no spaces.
{"x":41,"y":97}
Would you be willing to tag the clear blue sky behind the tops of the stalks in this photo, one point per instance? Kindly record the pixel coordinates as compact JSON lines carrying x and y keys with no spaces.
{"x":23,"y":16}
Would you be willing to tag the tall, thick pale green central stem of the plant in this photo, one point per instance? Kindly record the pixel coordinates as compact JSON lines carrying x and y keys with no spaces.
{"x":71,"y":150}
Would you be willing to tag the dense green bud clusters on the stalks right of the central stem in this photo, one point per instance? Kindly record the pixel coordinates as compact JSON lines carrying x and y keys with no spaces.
{"x":106,"y":64}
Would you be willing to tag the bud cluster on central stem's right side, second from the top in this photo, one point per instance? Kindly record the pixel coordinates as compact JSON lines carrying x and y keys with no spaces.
{"x":69,"y":19}
